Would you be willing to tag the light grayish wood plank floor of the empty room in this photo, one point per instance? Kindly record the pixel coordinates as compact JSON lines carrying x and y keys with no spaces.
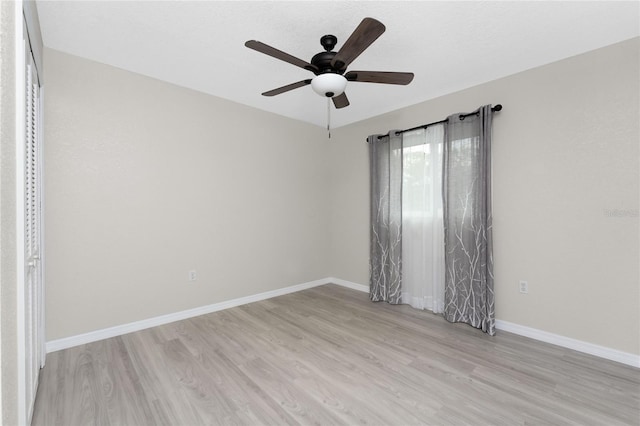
{"x":328,"y":356}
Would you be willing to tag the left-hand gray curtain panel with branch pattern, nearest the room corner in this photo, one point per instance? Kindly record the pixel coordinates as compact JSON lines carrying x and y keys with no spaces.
{"x":385,"y":157}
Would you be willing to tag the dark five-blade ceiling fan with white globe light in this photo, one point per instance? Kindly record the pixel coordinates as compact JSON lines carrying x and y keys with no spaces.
{"x":329,"y":66}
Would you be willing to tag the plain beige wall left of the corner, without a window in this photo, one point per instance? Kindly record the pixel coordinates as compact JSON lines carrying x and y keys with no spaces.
{"x":146,"y":181}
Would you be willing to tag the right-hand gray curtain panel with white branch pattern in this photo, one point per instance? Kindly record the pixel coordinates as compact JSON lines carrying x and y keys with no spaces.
{"x":467,"y":221}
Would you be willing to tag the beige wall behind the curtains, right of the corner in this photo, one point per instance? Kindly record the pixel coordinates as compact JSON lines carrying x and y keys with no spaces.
{"x":565,"y":154}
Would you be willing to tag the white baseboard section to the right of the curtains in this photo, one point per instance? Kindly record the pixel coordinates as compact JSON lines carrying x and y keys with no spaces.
{"x":569,"y":343}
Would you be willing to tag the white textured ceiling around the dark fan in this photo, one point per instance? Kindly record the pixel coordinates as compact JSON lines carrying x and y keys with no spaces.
{"x":448,"y":45}
